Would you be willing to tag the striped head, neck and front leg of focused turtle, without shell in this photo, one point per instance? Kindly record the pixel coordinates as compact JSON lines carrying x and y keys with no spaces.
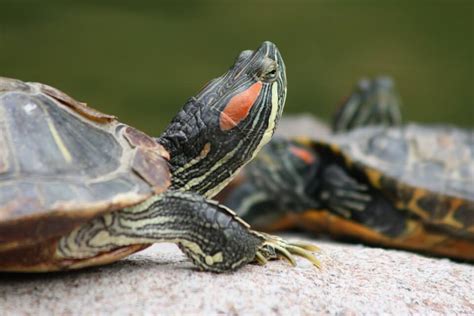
{"x":204,"y":156}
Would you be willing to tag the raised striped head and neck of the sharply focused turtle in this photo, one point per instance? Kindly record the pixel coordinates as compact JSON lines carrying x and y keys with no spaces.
{"x":224,"y":126}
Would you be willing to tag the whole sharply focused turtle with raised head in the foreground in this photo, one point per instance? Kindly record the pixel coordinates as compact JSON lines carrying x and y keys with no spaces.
{"x":78,"y":188}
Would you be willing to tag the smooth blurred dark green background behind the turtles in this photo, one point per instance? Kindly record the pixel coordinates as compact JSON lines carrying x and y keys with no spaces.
{"x":141,"y":60}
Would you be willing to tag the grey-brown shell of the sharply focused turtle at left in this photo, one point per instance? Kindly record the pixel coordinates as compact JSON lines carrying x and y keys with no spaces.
{"x":63,"y":163}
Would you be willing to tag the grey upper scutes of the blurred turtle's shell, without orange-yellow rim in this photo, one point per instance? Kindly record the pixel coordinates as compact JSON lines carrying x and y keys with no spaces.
{"x":439,"y":159}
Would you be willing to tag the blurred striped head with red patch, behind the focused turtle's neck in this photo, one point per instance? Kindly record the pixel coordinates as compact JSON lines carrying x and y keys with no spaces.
{"x":278,"y":180}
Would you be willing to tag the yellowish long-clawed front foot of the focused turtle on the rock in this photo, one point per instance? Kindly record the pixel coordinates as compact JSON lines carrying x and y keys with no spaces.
{"x":274,"y":247}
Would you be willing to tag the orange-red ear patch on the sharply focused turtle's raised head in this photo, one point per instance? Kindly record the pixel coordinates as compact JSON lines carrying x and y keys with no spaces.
{"x":239,"y":107}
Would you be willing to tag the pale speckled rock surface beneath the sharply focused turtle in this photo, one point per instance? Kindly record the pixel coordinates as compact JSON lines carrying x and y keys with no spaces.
{"x":160,"y":280}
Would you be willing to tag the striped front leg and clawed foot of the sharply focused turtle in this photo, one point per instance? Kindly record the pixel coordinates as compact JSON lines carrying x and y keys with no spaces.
{"x":211,"y":235}
